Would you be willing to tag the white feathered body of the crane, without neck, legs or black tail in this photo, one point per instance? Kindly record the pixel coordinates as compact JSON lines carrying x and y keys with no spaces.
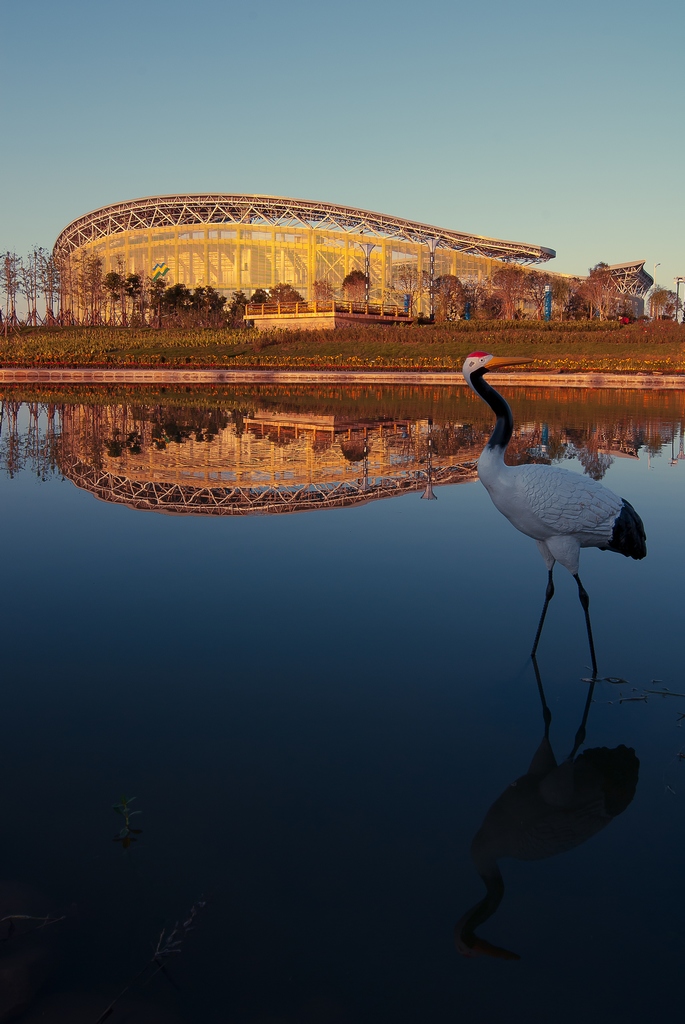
{"x":563,"y":511}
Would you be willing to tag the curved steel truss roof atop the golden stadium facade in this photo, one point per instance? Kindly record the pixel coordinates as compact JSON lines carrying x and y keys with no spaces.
{"x":210,"y":208}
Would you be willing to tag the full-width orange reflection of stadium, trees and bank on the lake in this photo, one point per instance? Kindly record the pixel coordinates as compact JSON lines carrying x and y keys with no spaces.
{"x":250,"y":456}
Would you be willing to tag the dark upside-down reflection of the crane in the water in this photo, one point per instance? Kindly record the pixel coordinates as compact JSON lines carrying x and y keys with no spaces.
{"x":550,"y":809}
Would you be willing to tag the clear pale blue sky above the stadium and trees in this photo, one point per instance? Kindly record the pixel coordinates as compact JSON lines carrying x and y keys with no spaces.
{"x":558,"y":124}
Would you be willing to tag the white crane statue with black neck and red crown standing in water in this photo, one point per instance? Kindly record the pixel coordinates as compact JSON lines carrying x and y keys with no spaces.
{"x":561,"y":510}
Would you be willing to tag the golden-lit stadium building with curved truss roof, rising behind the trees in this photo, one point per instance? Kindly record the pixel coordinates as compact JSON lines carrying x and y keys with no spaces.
{"x":246,"y":243}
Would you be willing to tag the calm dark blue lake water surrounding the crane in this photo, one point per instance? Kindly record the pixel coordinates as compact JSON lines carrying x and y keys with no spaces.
{"x":316,"y":684}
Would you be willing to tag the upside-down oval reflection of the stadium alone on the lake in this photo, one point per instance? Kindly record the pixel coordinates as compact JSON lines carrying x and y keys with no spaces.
{"x":264,"y":462}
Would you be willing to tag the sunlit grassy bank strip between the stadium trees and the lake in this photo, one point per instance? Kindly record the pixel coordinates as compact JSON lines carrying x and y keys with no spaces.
{"x":563,"y":348}
